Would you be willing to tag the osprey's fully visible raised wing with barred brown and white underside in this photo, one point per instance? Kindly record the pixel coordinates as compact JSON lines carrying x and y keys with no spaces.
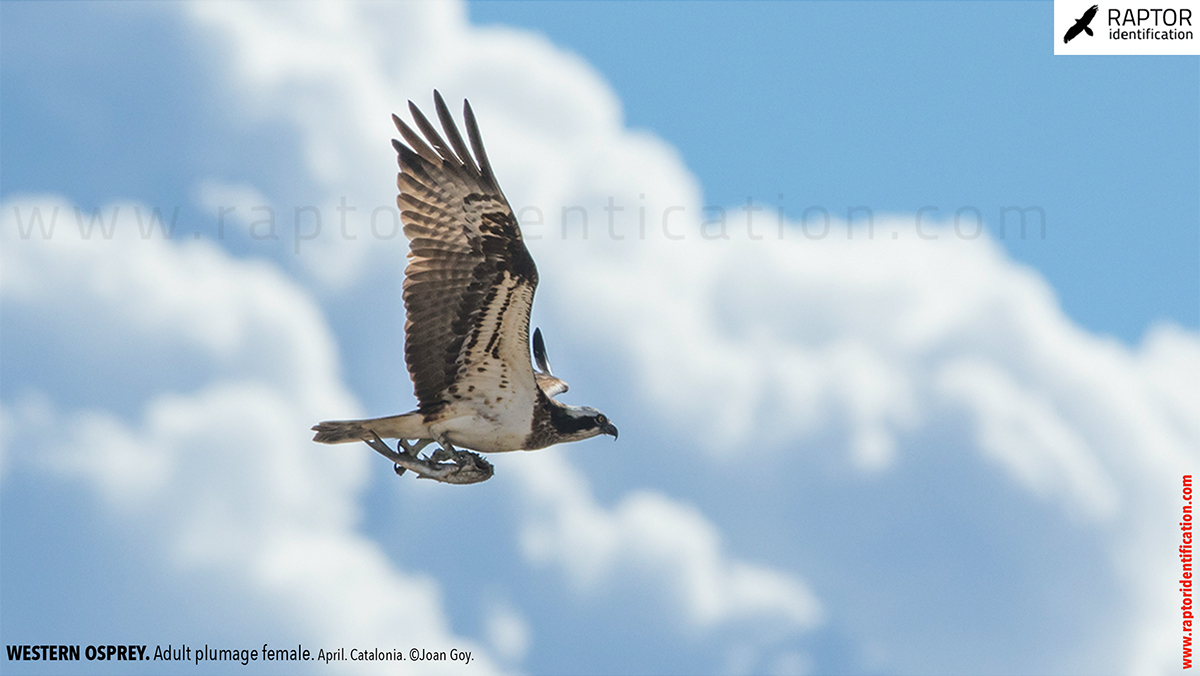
{"x":470,"y":283}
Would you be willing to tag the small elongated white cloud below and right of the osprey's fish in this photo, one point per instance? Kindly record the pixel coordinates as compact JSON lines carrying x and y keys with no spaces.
{"x":651,"y":534}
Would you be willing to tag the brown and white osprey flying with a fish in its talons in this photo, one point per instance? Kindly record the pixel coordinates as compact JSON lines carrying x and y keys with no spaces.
{"x":469,"y":291}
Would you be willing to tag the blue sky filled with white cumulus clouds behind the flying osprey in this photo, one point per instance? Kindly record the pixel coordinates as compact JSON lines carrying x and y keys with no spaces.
{"x":835,"y":453}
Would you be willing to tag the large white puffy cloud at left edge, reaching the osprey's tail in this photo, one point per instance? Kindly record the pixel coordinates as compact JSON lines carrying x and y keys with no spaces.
{"x":223,"y":478}
